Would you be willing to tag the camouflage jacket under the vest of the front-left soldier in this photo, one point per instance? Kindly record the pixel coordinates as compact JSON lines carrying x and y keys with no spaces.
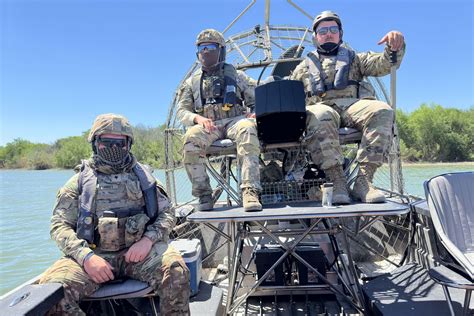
{"x":66,"y":213}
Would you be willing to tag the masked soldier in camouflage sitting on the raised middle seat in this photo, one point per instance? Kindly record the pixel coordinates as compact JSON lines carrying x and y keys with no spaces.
{"x":213,"y":104}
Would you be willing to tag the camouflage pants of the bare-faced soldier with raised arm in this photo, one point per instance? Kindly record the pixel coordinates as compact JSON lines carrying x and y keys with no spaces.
{"x":373,"y":118}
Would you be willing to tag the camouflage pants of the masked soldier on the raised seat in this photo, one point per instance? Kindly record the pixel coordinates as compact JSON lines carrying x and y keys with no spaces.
{"x":197,"y":140}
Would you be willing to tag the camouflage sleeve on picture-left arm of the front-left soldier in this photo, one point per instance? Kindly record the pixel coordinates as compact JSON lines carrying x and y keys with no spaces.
{"x":64,"y":221}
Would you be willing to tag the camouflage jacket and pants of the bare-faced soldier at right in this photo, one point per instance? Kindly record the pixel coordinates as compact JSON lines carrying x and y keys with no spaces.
{"x":351,"y":107}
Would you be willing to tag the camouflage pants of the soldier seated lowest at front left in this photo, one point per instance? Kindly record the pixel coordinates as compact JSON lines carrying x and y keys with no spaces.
{"x":163,"y":268}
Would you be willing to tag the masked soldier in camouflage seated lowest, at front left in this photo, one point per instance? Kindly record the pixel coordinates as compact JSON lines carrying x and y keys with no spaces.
{"x":112,"y":220}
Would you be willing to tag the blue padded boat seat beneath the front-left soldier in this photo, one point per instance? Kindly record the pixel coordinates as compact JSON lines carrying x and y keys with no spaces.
{"x":127,"y":288}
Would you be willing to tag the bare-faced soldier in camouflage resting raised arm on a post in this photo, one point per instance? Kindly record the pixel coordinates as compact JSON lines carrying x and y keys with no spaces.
{"x":337,"y":96}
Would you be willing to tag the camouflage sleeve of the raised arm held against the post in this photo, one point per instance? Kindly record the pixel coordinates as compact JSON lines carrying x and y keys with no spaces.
{"x":377,"y":64}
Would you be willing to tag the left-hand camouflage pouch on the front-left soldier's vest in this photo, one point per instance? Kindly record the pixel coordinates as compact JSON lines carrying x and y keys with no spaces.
{"x":112,"y":233}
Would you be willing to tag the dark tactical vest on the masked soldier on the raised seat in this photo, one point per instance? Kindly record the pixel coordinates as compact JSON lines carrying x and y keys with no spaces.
{"x":217,"y":97}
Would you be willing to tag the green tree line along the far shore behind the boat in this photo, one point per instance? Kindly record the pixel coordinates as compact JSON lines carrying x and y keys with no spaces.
{"x":431,"y":133}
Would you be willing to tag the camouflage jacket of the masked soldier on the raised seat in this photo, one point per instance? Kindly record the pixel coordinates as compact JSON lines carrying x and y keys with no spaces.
{"x":189,"y":90}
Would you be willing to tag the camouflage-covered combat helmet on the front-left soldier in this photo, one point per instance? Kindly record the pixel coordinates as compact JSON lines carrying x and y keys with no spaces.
{"x":110,"y":123}
